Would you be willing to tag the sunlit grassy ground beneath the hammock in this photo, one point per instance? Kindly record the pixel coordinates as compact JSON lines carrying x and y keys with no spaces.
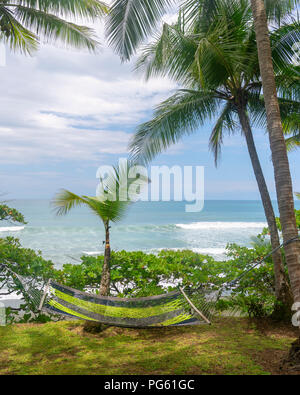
{"x":231,"y":346}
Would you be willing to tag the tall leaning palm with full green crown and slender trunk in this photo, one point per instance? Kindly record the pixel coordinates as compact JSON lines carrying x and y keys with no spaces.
{"x":216,"y":61}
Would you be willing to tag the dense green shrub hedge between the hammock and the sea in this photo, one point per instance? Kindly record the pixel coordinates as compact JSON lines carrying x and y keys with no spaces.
{"x":135,"y":274}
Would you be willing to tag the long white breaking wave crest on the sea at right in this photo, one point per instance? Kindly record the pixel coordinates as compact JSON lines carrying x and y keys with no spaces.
{"x":222,"y":225}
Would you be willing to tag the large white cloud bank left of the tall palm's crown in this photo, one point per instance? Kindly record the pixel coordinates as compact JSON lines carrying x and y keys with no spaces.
{"x":67,"y":105}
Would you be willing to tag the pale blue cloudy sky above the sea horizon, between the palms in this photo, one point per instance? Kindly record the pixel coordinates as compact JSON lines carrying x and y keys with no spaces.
{"x":64,"y":113}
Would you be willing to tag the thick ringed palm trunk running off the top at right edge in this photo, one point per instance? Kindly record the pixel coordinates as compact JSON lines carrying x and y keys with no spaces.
{"x":279,"y":154}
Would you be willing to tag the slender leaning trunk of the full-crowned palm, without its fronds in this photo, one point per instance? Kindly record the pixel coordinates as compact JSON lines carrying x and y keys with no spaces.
{"x":282,"y":288}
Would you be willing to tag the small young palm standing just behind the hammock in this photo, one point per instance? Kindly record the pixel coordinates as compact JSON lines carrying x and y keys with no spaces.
{"x":116,"y":192}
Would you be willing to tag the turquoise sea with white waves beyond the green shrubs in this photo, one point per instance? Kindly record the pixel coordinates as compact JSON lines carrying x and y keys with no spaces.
{"x":148,"y":226}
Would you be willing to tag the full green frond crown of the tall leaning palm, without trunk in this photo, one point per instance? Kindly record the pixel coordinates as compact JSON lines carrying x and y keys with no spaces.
{"x":216,"y":60}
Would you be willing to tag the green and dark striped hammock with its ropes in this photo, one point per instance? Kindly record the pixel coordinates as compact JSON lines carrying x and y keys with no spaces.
{"x":182,"y":307}
